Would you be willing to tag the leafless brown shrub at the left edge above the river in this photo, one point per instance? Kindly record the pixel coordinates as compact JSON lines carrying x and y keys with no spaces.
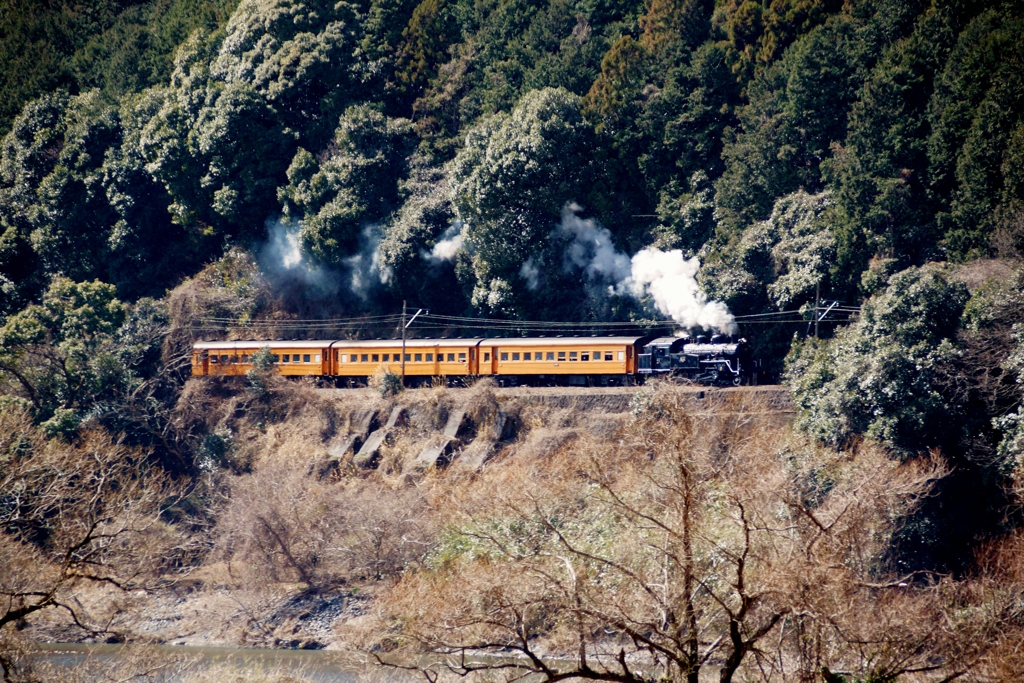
{"x":78,"y":518}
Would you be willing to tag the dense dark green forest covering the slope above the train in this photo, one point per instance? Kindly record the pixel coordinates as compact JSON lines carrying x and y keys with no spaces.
{"x":698,"y":120}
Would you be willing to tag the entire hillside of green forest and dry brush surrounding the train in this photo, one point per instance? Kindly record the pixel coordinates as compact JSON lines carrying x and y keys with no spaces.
{"x":839,"y":183}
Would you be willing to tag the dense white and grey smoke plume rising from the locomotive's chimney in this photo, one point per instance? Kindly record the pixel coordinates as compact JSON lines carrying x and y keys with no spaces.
{"x":667,"y":278}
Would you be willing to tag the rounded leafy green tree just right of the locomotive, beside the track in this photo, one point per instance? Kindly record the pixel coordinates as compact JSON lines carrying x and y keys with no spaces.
{"x":876,"y":377}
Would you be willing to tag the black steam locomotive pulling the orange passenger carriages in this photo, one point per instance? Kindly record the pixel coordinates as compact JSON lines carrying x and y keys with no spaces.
{"x":720,"y":361}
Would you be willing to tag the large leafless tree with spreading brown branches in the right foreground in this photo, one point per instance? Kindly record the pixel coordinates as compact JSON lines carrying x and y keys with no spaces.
{"x":706,"y":536}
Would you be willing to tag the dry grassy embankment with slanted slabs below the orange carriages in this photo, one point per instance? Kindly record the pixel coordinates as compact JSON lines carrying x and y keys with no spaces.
{"x":317,"y":499}
